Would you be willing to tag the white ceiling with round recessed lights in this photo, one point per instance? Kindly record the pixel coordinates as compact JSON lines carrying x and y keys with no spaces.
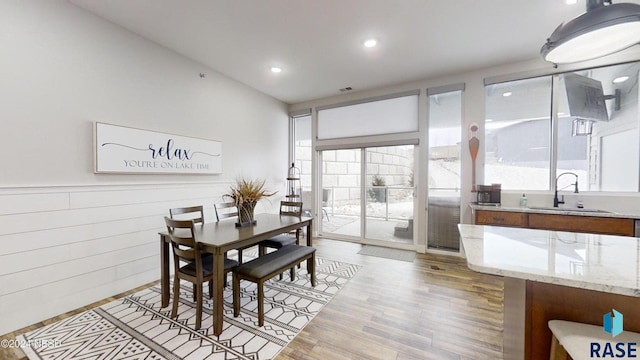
{"x":319,"y":44}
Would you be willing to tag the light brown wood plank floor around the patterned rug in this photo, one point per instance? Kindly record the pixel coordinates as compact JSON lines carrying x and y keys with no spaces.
{"x":433,"y":308}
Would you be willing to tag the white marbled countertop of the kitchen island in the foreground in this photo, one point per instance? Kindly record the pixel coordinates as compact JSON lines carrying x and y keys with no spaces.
{"x":604,"y":263}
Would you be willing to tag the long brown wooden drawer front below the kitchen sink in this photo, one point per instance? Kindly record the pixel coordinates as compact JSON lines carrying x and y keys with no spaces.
{"x":584,"y":224}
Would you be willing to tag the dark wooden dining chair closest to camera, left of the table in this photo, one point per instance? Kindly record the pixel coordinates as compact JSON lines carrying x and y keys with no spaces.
{"x":196,"y":270}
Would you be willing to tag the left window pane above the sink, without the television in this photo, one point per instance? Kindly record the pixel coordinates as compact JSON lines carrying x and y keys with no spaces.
{"x":517,"y":134}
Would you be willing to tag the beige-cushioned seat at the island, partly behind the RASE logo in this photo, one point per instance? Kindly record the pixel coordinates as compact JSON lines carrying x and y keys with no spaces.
{"x":574,"y":340}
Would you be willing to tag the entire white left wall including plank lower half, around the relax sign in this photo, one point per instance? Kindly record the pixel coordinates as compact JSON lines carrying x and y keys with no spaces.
{"x":68,"y":236}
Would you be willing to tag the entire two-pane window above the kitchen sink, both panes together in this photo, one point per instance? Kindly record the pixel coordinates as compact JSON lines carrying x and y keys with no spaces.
{"x":596,"y":135}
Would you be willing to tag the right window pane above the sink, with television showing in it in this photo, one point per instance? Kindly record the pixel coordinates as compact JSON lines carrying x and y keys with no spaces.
{"x":606,"y":155}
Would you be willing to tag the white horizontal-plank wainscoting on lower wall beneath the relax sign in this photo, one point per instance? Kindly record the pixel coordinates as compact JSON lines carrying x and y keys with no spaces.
{"x":88,"y":244}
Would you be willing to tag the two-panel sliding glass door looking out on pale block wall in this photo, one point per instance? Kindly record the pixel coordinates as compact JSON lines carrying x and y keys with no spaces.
{"x":377,"y":207}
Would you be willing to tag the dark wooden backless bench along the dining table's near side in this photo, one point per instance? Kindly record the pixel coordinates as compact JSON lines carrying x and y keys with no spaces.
{"x":267,"y":266}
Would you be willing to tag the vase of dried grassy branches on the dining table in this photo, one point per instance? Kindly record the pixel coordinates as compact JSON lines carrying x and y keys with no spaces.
{"x":245,"y":194}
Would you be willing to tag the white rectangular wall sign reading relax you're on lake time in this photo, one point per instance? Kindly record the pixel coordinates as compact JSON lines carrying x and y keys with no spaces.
{"x":120,"y":149}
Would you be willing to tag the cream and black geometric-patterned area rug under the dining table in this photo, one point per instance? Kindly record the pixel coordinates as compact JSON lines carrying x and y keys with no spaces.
{"x":136,"y":327}
